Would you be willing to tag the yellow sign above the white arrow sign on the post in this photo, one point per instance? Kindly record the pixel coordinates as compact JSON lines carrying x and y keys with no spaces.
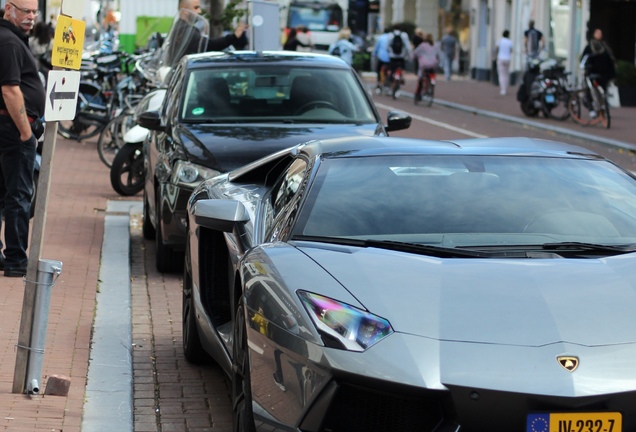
{"x":68,"y":42}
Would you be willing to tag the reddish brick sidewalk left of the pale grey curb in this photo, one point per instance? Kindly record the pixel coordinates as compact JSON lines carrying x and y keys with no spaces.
{"x":78,"y":194}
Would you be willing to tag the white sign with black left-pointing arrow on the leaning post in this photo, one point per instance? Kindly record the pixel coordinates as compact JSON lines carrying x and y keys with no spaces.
{"x":62,"y":88}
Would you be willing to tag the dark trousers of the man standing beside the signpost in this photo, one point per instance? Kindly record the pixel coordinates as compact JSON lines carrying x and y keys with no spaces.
{"x":17,"y":161}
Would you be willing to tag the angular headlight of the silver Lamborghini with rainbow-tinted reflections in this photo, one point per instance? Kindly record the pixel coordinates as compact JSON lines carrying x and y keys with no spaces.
{"x":344,"y":326}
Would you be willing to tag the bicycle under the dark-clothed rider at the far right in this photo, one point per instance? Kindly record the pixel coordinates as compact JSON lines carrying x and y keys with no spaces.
{"x":588,"y":104}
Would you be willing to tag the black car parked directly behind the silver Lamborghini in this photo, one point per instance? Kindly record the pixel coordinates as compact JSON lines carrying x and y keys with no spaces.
{"x":223,"y":110}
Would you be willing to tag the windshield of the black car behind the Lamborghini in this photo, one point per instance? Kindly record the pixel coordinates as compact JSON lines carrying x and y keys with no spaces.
{"x":263,"y":93}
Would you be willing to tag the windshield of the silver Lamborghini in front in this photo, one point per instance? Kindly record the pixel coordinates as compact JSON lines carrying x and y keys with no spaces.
{"x":472,"y":200}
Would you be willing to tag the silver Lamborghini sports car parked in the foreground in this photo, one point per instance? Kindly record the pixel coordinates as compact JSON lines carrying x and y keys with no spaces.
{"x":391,"y":284}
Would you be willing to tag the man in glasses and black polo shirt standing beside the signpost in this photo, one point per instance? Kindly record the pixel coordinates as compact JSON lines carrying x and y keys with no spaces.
{"x":21,"y":104}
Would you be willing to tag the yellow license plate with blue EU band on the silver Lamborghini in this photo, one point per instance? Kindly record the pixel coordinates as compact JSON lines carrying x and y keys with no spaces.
{"x":575,"y":422}
